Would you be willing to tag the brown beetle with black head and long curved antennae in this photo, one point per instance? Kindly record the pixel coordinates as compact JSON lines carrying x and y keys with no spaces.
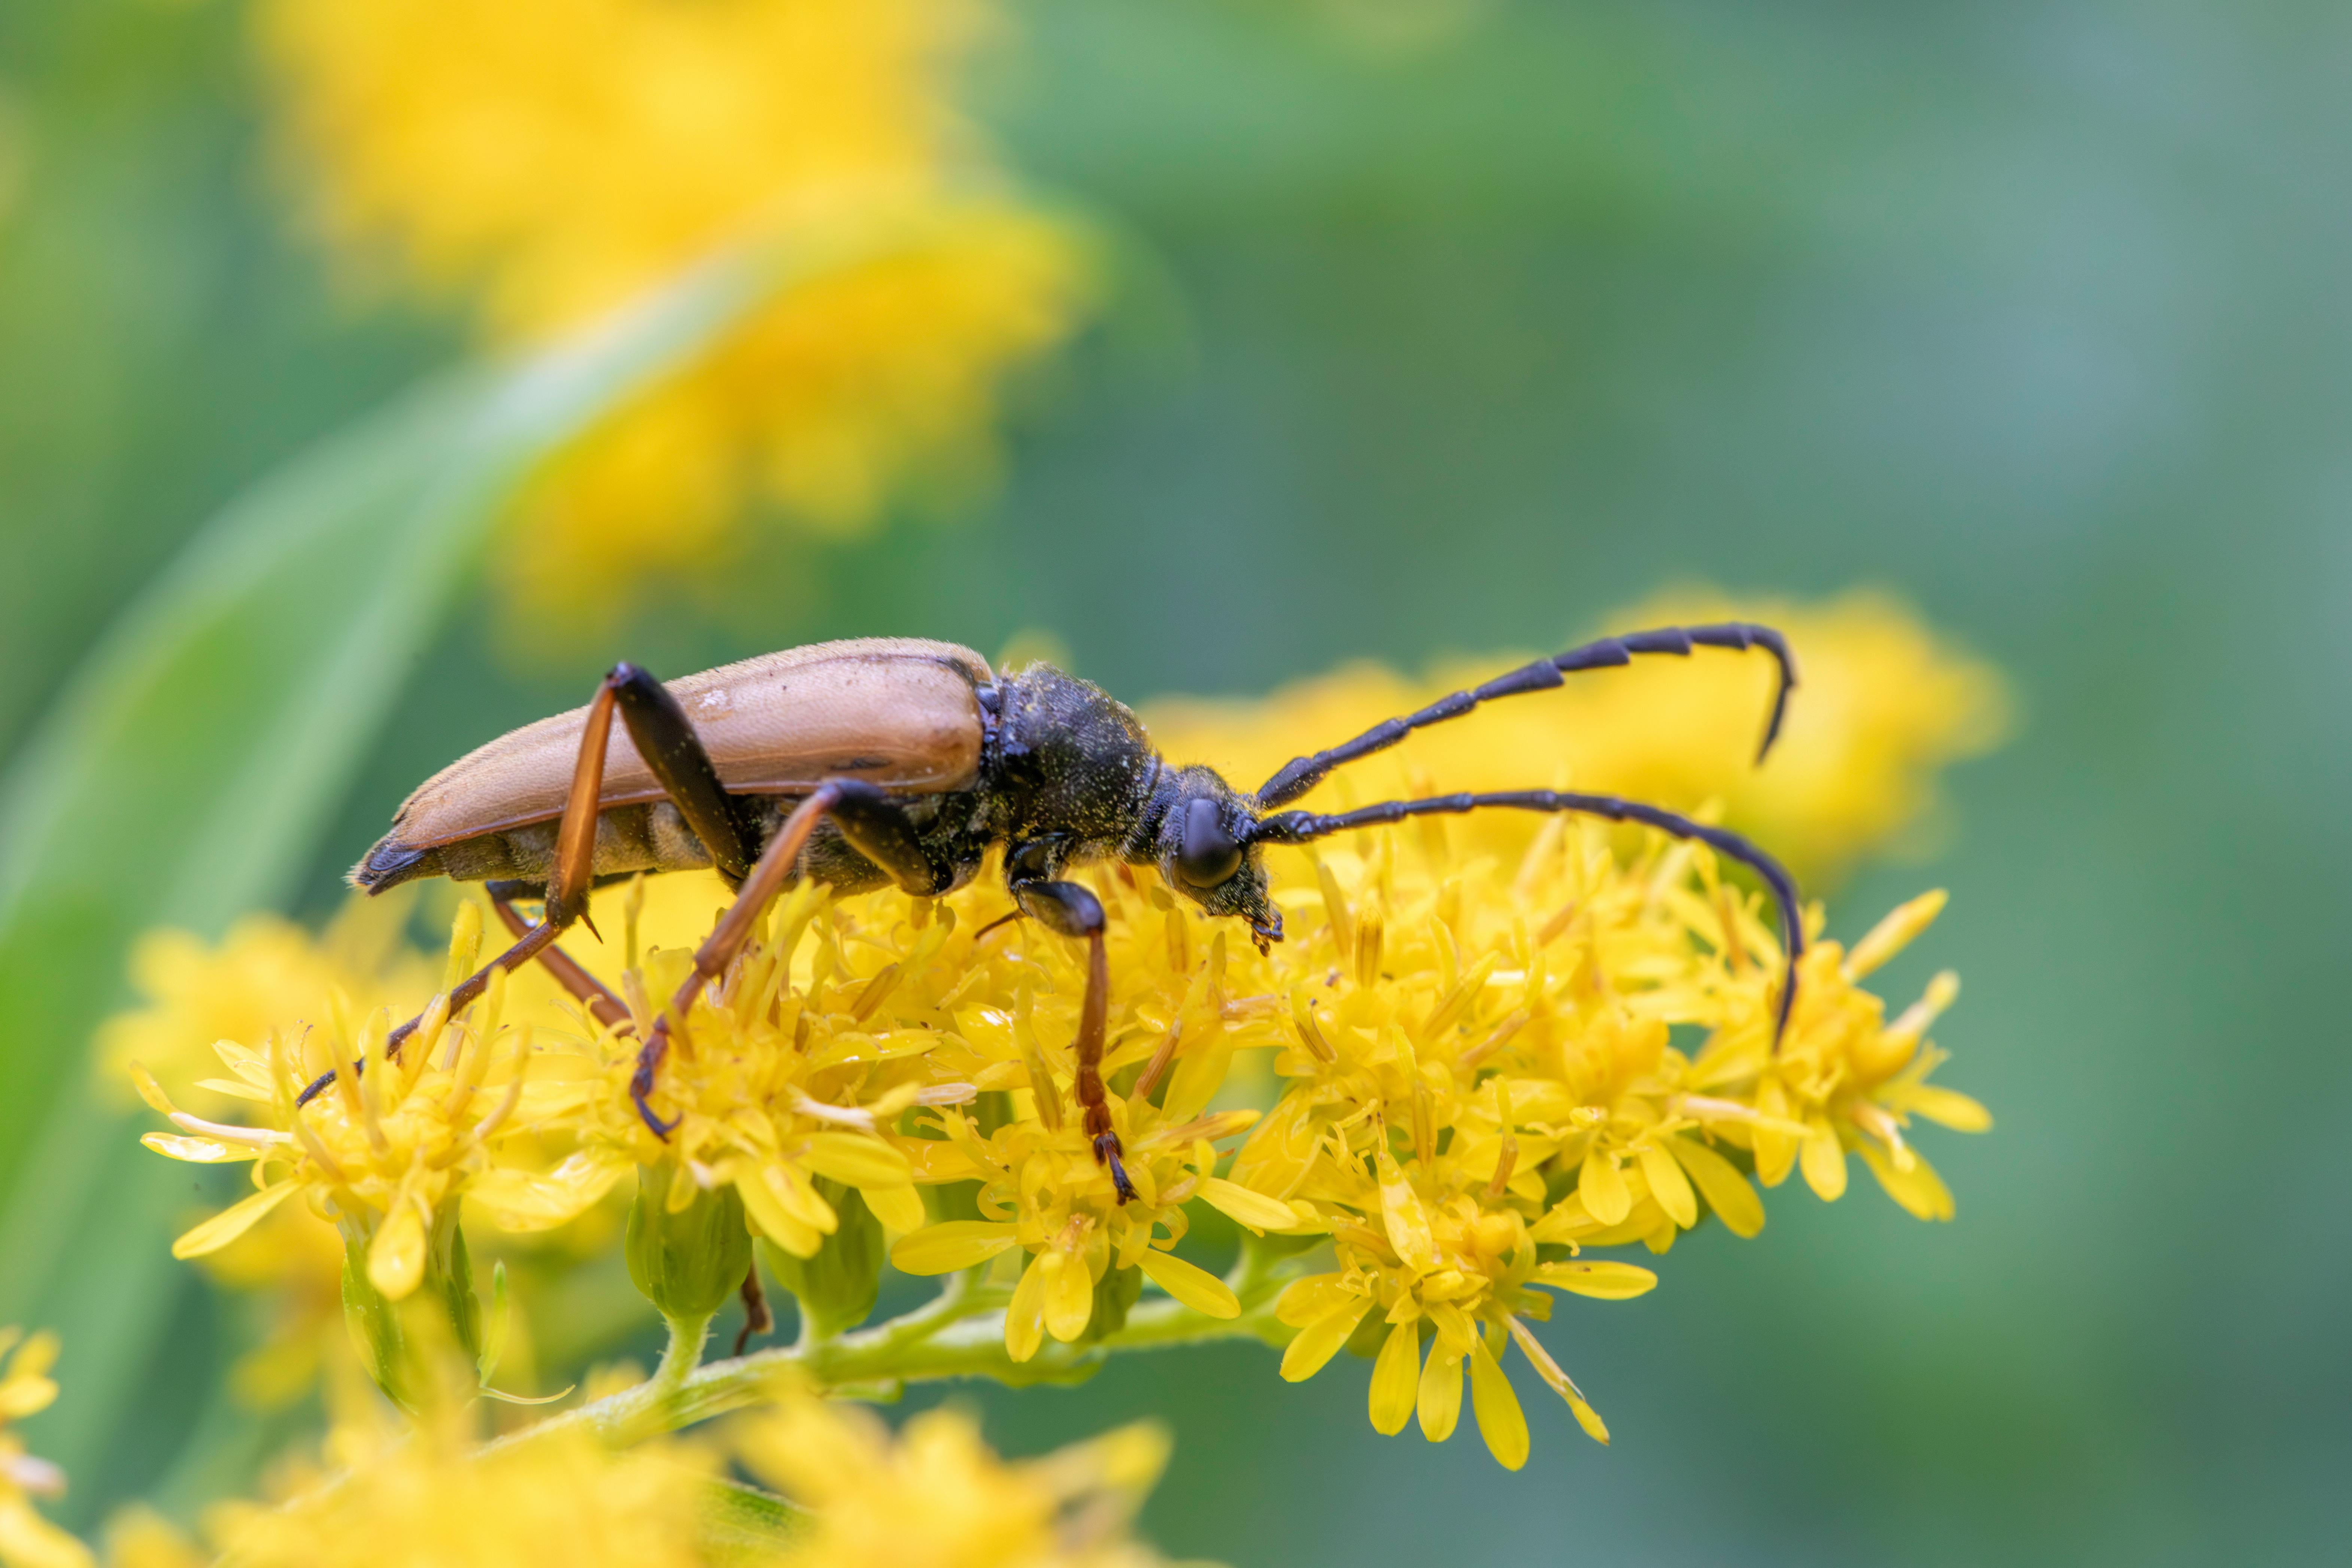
{"x":895,"y":760}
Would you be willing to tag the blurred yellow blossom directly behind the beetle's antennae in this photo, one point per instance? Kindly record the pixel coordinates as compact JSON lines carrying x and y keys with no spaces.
{"x":1883,"y":706}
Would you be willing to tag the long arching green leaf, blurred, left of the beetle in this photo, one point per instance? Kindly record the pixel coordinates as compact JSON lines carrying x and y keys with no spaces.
{"x":194,"y":763}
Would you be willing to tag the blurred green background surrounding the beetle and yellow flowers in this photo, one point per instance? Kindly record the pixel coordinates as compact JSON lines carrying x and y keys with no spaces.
{"x":1466,"y":323}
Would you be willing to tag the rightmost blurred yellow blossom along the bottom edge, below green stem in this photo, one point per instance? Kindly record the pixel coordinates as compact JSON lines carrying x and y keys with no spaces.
{"x":940,"y":1499}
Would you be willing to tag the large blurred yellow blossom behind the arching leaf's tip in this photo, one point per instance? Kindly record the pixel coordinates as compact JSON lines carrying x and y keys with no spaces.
{"x":556,"y":159}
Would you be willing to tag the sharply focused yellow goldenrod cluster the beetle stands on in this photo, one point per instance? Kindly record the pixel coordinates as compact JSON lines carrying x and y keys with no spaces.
{"x":1481,"y":1064}
